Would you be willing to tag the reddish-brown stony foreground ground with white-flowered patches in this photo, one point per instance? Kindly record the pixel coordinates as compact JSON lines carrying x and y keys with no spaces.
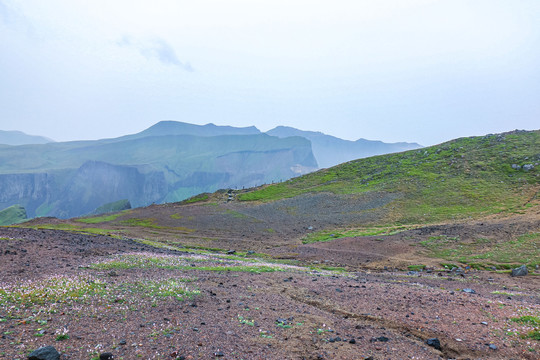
{"x":88,"y":295}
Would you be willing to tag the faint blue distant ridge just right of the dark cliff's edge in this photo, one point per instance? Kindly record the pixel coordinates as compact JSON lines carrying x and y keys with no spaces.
{"x":330,"y":151}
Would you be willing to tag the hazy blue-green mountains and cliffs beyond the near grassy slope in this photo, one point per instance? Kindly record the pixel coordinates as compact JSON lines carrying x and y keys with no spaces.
{"x":167,"y":162}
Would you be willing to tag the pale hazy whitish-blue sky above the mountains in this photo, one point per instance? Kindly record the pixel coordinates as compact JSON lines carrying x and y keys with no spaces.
{"x":422,"y":71}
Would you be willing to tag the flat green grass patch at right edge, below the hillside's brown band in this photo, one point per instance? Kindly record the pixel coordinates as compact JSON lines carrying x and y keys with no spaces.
{"x":485,"y":253}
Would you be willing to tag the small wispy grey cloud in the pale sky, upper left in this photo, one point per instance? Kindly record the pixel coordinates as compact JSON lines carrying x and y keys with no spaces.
{"x":155,"y":49}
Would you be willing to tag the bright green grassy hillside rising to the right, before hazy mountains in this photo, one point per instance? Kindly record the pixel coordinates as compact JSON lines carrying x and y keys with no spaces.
{"x":457,"y":179}
